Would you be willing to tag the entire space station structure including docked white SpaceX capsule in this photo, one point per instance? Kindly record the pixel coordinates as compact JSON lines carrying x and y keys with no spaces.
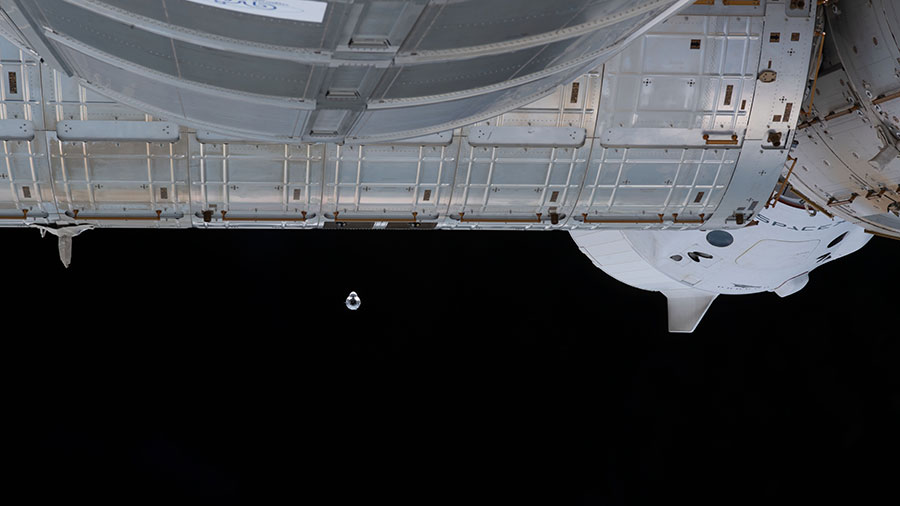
{"x":694,"y":148}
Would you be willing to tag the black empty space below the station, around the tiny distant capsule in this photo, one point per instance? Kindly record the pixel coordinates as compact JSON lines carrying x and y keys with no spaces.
{"x":217,"y":367}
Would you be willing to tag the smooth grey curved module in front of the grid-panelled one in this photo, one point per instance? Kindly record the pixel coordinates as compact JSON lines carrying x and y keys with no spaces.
{"x":317,"y":71}
